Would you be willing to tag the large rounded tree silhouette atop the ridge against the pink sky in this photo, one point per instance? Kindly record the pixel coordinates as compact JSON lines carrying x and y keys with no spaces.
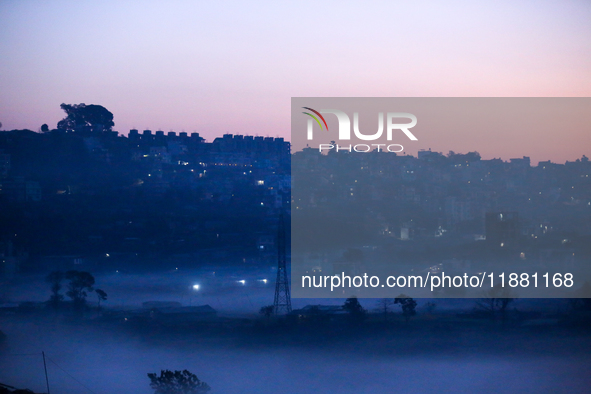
{"x":78,"y":115}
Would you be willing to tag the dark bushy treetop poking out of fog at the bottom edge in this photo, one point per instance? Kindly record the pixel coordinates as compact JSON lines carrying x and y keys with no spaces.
{"x":177,"y":382}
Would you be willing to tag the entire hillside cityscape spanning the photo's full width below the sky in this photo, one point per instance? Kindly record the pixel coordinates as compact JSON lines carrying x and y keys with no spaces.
{"x":89,"y":195}
